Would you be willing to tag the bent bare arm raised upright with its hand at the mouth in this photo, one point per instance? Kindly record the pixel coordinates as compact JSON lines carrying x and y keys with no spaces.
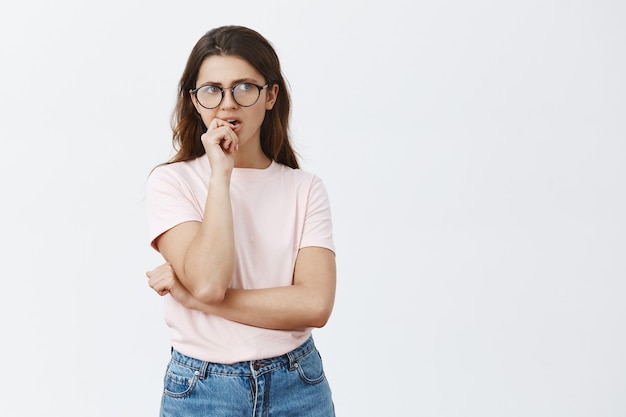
{"x":203,"y":253}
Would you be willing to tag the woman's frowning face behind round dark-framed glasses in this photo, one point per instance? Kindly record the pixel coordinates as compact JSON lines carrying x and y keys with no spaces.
{"x":225,"y":72}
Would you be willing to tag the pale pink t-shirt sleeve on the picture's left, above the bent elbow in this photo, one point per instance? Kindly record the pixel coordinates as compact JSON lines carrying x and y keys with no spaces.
{"x":169,"y":203}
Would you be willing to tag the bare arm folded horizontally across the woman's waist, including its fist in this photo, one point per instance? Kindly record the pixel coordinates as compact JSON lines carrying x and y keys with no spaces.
{"x":306,"y":303}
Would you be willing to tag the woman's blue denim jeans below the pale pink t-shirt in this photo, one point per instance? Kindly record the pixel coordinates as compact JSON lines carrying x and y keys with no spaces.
{"x":293,"y":384}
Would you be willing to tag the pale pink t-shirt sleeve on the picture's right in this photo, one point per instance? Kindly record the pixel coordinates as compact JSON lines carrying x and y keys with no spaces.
{"x":318,"y":229}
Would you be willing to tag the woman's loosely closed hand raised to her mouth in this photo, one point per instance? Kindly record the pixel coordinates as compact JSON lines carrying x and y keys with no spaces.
{"x":220,"y":142}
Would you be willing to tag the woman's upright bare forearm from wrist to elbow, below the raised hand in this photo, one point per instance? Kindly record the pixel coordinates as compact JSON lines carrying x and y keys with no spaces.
{"x":209,"y":260}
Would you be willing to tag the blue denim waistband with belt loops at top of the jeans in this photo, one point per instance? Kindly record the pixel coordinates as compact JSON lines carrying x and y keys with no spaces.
{"x":246,"y":368}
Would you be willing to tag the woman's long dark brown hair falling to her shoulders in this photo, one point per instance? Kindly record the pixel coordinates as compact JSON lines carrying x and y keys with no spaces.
{"x":187,"y":126}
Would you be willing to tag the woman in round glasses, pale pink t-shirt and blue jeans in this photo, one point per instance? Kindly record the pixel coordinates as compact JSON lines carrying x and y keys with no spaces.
{"x":247,"y":240}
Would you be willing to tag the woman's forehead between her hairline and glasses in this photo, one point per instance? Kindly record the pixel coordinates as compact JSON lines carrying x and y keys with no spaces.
{"x":224,"y":69}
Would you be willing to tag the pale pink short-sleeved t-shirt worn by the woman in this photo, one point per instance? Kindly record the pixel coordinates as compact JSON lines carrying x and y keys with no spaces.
{"x":276,"y":211}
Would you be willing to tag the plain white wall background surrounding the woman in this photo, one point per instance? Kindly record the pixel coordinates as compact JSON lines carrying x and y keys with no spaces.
{"x":475,"y":156}
